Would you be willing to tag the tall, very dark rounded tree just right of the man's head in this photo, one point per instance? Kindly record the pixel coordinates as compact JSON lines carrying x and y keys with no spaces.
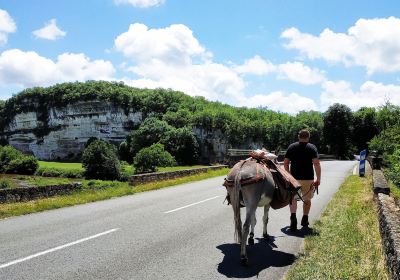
{"x":338,"y":127}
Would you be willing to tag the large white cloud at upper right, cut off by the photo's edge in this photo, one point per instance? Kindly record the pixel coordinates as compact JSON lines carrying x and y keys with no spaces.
{"x":372,"y":43}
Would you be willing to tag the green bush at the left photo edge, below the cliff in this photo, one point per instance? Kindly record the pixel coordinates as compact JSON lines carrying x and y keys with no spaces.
{"x":13,"y":161}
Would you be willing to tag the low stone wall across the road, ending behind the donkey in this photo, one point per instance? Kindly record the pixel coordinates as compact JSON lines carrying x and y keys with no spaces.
{"x":158,"y":176}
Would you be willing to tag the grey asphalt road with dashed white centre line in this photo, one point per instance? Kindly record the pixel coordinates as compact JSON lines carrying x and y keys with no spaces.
{"x":182,"y":232}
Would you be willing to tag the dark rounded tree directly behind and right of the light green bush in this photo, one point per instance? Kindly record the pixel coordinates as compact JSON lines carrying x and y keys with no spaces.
{"x":182,"y":144}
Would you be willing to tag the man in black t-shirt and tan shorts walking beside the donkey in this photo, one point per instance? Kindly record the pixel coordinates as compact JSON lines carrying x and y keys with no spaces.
{"x":303,"y":159}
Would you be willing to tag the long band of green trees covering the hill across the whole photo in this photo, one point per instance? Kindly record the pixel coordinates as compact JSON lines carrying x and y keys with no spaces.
{"x":168,"y":119}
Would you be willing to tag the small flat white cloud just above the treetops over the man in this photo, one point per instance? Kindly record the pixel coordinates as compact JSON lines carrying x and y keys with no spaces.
{"x":278,"y":101}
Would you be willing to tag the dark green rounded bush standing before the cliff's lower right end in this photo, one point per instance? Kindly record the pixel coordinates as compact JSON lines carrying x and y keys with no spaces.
{"x":100,"y":161}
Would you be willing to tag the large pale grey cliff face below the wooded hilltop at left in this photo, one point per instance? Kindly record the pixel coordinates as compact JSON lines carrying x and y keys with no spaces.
{"x":70,"y":128}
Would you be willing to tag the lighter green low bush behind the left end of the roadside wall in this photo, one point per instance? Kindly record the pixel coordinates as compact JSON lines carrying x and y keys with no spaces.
{"x":150,"y":158}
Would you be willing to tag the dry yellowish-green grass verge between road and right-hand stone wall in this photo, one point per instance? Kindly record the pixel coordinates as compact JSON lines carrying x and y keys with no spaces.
{"x":346,"y":243}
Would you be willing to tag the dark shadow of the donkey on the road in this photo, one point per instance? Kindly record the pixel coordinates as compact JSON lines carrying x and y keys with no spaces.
{"x":261,"y":256}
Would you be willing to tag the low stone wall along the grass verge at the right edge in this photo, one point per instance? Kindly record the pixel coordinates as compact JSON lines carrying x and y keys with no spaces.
{"x":389,"y":217}
